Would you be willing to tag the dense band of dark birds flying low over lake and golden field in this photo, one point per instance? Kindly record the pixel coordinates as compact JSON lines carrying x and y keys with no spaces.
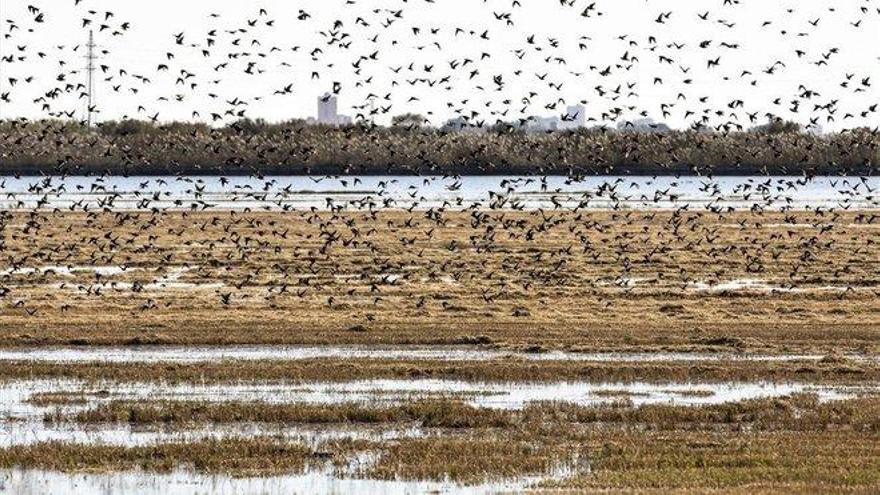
{"x":416,"y":244}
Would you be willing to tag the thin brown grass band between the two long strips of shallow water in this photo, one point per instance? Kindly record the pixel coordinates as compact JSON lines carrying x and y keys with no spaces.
{"x":502,"y":370}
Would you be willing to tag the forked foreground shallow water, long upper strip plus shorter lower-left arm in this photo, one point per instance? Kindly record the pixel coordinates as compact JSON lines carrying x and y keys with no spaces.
{"x":21,"y":422}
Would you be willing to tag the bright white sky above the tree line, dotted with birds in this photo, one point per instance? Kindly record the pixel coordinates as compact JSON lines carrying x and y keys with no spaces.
{"x":375,"y":26}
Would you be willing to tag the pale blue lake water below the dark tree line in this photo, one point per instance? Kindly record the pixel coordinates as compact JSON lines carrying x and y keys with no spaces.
{"x":276,"y":193}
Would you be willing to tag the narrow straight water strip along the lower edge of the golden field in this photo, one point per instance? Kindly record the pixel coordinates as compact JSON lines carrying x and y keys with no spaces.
{"x":195,"y":354}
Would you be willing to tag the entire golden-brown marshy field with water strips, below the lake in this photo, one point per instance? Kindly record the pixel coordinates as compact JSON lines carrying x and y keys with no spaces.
{"x":432,"y":350}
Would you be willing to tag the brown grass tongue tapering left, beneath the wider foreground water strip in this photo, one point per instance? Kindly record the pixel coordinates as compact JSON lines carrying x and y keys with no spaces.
{"x":801,"y":412}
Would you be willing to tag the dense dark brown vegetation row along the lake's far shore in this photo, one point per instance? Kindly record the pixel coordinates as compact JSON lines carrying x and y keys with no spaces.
{"x":294,"y":148}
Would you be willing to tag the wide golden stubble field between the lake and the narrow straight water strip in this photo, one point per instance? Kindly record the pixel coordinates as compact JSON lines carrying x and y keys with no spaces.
{"x":511,"y":279}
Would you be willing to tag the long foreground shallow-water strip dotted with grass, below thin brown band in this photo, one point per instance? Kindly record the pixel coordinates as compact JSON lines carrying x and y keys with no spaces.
{"x":14,"y":395}
